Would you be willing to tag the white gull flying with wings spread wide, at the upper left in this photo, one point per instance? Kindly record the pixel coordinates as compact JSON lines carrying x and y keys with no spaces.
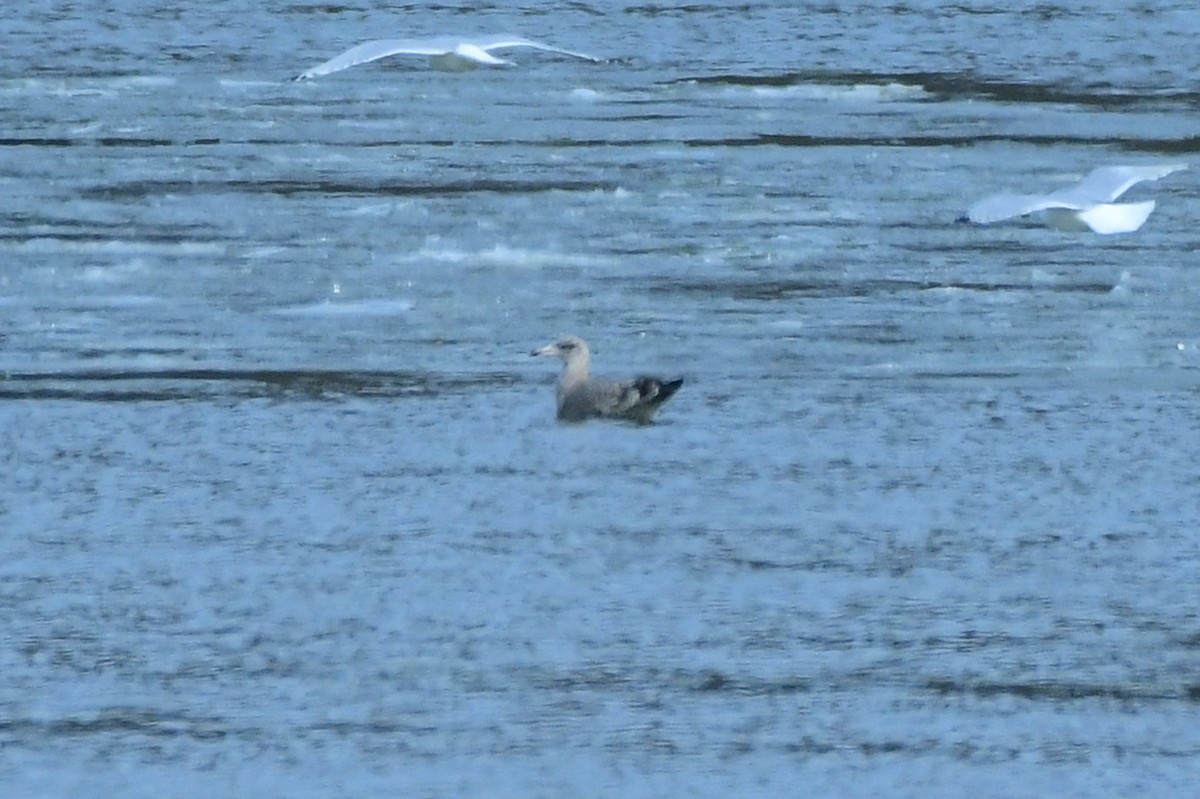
{"x":448,"y":53}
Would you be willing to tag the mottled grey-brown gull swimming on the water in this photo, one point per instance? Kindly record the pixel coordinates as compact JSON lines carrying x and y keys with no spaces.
{"x":581,"y":398}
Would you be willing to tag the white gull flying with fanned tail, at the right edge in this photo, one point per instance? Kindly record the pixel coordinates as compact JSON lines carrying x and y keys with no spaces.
{"x":1087,"y":206}
